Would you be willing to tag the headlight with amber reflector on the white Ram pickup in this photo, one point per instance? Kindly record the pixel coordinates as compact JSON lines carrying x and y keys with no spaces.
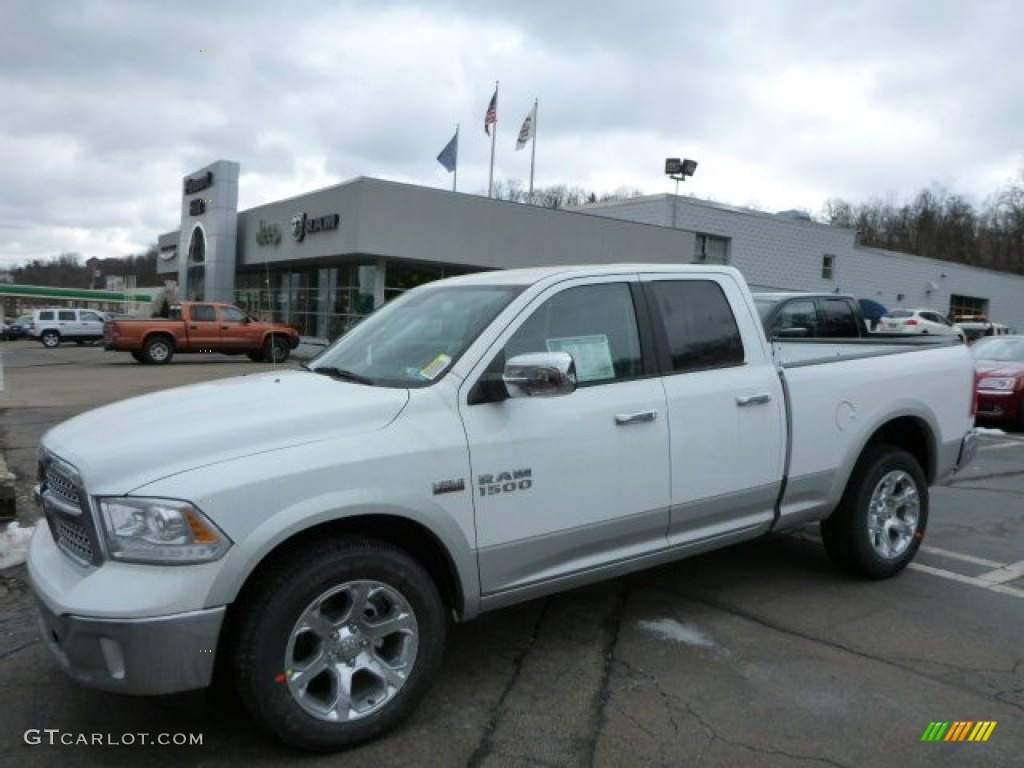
{"x":160,"y":531}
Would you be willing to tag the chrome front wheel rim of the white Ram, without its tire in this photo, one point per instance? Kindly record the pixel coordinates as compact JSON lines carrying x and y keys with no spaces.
{"x":352,"y":651}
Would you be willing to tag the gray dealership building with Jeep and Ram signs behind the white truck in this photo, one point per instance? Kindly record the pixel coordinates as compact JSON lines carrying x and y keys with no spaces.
{"x":325,"y":260}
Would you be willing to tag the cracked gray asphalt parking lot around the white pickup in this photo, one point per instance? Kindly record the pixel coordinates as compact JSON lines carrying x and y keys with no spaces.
{"x":761,"y":655}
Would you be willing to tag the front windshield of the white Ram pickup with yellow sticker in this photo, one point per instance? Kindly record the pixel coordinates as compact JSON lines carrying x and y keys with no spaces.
{"x":415,"y":339}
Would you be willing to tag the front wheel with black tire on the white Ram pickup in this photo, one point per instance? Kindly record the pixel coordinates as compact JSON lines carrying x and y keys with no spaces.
{"x":337,"y":644}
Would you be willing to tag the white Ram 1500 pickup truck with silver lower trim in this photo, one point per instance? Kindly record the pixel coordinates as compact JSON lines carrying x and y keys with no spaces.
{"x":480,"y":442}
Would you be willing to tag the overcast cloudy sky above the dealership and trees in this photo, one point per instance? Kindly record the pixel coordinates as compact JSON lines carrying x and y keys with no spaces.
{"x":108,"y":104}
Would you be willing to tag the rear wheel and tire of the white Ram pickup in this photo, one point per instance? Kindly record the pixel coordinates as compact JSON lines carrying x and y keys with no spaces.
{"x":878,"y":528}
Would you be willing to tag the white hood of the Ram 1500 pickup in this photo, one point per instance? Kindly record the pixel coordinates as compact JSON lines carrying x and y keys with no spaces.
{"x":121,"y":447}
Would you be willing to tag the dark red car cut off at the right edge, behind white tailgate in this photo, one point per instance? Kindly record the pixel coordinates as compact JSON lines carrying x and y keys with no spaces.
{"x":1000,"y":379}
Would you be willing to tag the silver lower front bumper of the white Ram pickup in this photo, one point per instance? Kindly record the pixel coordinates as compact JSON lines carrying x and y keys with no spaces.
{"x":154,"y":657}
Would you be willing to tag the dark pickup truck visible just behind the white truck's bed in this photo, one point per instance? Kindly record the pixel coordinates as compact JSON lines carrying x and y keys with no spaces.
{"x":812,"y":316}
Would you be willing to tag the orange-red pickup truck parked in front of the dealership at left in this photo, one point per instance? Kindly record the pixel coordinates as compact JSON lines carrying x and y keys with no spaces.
{"x":201,"y":327}
